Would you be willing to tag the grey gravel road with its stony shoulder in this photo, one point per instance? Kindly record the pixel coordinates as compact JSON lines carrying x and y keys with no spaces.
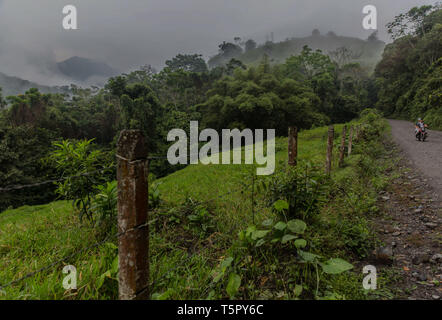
{"x":410,"y":225}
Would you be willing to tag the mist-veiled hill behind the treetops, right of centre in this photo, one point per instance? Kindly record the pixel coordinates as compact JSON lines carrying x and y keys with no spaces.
{"x":366,"y":52}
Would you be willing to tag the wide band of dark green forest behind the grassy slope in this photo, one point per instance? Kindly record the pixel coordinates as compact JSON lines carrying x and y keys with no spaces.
{"x":307,"y":90}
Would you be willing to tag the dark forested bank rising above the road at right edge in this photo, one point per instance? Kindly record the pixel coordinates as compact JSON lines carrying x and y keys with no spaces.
{"x":409,"y":76}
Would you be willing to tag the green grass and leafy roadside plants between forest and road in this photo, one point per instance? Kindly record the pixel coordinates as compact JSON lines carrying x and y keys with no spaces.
{"x":301,"y":238}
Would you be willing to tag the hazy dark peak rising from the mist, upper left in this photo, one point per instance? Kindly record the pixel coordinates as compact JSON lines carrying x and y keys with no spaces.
{"x":82,"y":69}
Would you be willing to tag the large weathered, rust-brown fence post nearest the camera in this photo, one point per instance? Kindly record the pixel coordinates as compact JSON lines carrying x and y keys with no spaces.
{"x":133,"y":243}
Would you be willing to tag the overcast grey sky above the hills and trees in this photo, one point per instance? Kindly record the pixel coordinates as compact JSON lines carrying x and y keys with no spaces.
{"x":129,"y":33}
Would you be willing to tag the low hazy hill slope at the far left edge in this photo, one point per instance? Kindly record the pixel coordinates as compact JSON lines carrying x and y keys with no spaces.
{"x":13,"y":86}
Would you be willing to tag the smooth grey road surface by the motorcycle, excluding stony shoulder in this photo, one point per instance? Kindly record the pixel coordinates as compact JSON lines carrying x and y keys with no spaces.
{"x":425,"y":156}
